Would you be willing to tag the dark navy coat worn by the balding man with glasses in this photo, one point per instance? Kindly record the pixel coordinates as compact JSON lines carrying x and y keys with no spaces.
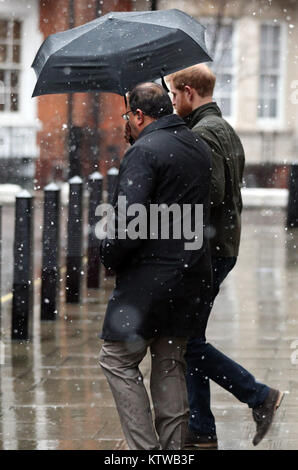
{"x":159,"y":284}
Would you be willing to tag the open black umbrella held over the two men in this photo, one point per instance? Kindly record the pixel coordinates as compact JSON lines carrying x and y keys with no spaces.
{"x":116,"y":51}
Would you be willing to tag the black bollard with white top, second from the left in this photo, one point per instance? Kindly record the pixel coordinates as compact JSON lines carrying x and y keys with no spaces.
{"x":50,"y":274}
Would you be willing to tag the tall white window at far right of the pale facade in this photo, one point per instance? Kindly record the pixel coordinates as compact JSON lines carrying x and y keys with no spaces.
{"x":270,"y":71}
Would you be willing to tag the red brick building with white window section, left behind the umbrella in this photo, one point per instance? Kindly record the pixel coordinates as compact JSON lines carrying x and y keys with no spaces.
{"x":34,"y":133}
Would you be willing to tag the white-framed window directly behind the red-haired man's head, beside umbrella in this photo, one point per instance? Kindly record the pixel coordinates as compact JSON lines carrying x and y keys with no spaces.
{"x":219,"y":41}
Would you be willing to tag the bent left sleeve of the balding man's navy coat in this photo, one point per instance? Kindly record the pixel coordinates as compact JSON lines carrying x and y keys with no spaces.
{"x":137,"y":177}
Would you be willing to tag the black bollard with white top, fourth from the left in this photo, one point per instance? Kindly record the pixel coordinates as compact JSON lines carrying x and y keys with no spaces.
{"x":95,"y":198}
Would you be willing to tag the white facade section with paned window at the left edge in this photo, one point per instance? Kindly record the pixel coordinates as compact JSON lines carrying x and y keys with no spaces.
{"x":18,"y":113}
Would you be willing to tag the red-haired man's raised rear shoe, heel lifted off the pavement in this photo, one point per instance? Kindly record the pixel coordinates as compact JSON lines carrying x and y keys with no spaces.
{"x":263,"y":414}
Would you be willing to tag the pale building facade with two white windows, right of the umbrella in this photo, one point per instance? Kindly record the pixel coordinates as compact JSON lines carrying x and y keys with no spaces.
{"x":255,"y":50}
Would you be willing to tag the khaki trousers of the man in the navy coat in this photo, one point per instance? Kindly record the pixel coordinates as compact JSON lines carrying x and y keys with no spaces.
{"x":120,"y":363}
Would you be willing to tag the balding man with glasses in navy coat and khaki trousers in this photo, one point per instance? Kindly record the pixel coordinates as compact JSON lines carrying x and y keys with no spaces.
{"x":159,"y":282}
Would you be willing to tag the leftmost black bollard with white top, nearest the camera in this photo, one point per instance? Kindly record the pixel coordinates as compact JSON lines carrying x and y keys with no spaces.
{"x":22,"y":301}
